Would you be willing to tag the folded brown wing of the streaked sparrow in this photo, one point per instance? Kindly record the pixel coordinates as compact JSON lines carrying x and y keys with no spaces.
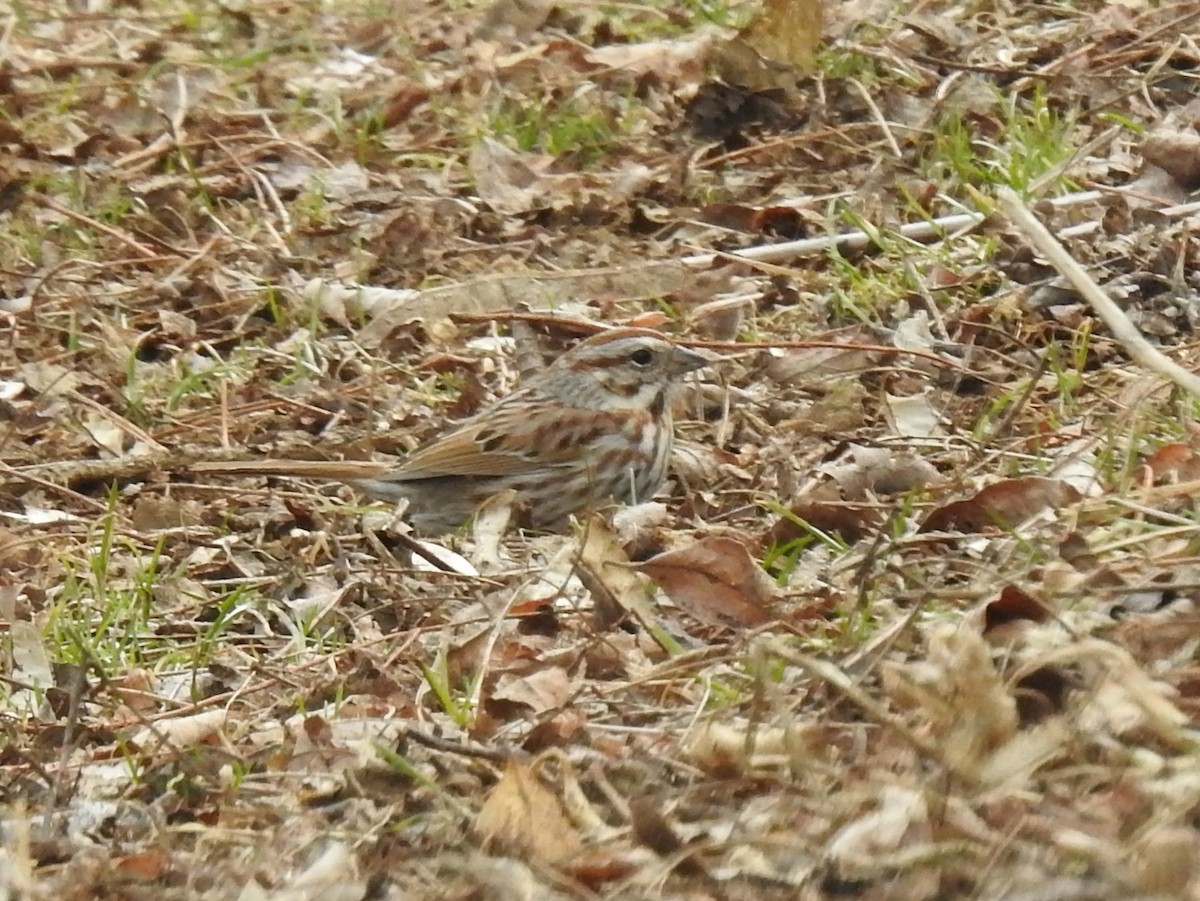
{"x":487,"y":447}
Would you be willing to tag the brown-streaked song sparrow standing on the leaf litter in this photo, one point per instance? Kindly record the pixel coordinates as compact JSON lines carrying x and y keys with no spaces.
{"x":593,"y":427}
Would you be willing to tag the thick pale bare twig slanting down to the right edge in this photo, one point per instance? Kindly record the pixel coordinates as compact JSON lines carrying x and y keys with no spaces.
{"x":1124,"y":331}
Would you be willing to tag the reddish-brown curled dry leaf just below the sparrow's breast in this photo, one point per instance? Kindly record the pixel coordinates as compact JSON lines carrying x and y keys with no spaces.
{"x":715,"y":580}
